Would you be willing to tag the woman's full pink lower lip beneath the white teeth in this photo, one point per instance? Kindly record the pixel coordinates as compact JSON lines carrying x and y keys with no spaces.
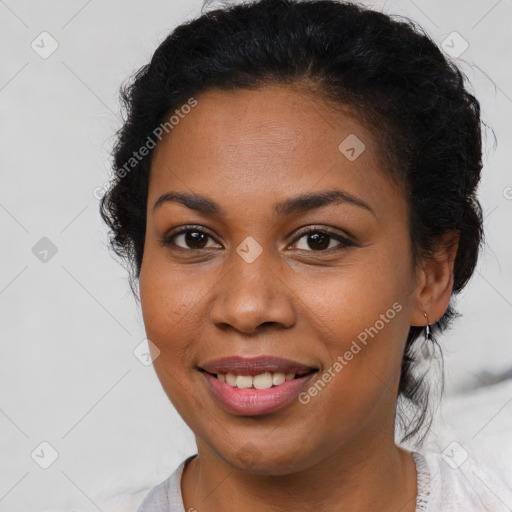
{"x":254,"y":402}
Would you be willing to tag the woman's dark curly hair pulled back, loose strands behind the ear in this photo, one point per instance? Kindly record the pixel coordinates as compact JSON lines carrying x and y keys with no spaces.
{"x":387,"y":70}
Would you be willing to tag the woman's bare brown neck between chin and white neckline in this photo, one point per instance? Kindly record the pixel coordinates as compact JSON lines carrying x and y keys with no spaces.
{"x":362,"y":476}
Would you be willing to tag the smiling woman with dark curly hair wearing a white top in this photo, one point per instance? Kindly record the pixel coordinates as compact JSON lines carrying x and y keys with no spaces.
{"x":295,"y":189}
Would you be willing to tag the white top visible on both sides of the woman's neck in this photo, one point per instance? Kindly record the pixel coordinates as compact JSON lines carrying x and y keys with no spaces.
{"x":451,"y":481}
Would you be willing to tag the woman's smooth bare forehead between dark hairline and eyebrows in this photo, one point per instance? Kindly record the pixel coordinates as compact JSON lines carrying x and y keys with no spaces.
{"x":268,"y":142}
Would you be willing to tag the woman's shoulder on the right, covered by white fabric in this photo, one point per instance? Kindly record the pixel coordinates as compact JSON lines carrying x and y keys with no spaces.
{"x":453,"y":480}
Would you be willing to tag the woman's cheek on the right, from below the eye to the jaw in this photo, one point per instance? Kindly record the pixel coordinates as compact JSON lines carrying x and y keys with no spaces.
{"x":360,"y":313}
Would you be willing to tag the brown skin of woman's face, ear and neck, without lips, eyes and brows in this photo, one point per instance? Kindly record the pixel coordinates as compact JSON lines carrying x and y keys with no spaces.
{"x":247,"y":150}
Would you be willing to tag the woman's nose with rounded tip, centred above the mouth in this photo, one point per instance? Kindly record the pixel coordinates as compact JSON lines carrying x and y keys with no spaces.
{"x":253,"y":296}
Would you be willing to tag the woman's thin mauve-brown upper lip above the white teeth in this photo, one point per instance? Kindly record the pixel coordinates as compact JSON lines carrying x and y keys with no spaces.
{"x":239,"y":365}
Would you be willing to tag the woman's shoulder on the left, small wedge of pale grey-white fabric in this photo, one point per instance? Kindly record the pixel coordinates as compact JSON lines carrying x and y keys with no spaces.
{"x":166,"y":496}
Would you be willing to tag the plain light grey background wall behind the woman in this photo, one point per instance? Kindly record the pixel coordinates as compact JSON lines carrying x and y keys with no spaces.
{"x":69,"y":325}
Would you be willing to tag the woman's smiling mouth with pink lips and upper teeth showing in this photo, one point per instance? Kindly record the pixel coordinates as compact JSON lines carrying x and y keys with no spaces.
{"x":255,"y":386}
